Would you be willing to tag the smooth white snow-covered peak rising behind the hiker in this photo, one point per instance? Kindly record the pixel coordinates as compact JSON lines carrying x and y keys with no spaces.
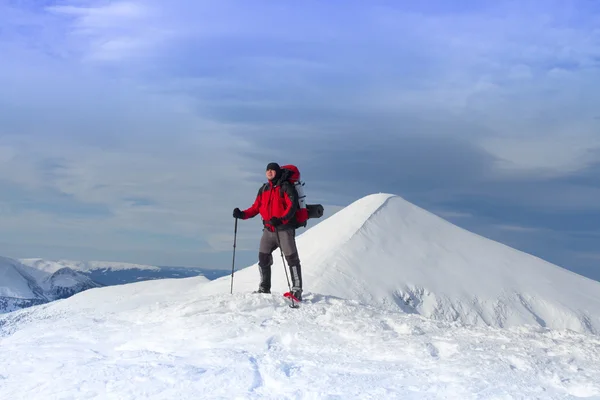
{"x":382,"y":250}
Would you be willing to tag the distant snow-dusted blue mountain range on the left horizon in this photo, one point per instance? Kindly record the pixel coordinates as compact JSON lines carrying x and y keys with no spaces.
{"x":28,"y":282}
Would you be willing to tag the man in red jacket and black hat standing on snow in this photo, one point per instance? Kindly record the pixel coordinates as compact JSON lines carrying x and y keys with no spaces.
{"x":277,"y":203}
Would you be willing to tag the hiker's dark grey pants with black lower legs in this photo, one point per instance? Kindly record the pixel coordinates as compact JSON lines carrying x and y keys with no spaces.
{"x":269,"y":243}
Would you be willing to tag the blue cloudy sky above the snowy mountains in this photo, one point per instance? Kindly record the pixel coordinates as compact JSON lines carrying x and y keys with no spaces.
{"x":130,"y":130}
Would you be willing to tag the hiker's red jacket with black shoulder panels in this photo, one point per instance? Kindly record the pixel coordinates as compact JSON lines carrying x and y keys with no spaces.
{"x":274,"y":200}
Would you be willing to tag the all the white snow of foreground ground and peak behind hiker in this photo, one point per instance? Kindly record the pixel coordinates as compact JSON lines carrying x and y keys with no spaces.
{"x":398,"y":304}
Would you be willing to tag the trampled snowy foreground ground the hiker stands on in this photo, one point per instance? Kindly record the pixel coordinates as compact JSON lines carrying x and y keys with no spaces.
{"x":165,"y":340}
